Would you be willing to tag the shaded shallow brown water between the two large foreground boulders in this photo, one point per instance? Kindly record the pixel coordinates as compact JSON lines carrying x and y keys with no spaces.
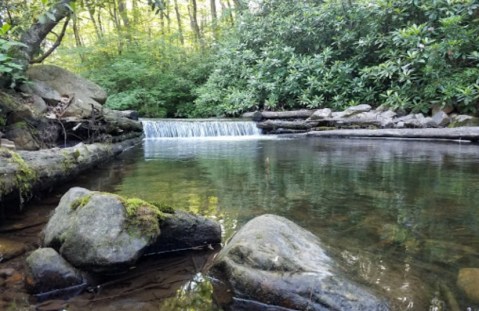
{"x":147,"y":286}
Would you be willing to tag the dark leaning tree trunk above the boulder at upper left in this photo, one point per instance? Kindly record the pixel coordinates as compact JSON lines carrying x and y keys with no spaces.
{"x":33,"y":37}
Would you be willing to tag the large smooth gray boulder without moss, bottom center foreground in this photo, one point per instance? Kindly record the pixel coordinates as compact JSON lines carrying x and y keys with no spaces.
{"x":273,"y":264}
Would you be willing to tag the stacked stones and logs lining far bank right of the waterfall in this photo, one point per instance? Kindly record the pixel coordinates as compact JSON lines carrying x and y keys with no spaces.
{"x":364,"y":121}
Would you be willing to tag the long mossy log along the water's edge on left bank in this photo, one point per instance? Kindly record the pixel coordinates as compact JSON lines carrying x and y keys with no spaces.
{"x":23,"y":173}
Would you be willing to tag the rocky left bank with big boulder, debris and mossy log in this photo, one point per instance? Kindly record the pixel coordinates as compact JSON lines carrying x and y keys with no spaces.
{"x":53,"y":128}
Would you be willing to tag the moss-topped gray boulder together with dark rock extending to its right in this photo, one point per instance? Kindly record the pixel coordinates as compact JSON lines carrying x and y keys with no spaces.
{"x":104,"y":232}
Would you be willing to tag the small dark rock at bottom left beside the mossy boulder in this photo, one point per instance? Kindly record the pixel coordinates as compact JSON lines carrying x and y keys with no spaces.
{"x":48,"y":271}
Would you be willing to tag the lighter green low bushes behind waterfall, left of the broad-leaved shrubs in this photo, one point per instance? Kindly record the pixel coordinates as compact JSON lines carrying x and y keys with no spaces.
{"x":153,"y":77}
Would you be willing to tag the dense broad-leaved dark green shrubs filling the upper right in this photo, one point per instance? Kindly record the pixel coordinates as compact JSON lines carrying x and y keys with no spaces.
{"x":408,"y":54}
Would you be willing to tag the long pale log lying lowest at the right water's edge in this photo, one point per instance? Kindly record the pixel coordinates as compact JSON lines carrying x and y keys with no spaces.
{"x":458,"y":133}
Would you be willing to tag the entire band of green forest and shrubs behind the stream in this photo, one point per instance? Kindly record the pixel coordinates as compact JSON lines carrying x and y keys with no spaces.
{"x":201,"y":58}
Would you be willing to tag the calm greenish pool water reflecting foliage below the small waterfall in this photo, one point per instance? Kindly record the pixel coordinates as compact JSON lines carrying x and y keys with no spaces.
{"x":401,"y":216}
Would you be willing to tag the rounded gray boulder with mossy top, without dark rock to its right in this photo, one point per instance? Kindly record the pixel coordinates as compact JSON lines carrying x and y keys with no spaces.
{"x":92,"y":231}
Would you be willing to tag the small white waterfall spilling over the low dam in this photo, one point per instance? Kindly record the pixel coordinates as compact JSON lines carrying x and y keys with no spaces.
{"x":198,"y":128}
